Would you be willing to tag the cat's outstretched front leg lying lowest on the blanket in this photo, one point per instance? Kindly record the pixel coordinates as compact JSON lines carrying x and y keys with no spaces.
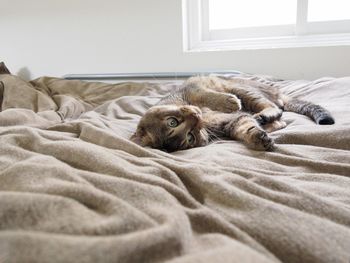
{"x":245,"y":128}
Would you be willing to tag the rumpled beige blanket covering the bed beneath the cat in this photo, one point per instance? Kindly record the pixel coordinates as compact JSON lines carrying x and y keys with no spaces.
{"x":73,"y":188}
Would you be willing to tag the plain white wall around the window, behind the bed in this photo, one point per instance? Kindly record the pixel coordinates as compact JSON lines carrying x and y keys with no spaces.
{"x":57,"y":37}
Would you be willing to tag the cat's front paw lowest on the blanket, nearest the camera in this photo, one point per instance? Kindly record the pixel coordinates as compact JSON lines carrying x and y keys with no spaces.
{"x":259,"y":139}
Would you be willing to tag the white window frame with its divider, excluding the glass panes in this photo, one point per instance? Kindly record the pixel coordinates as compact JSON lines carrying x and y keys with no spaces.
{"x":198,"y":37}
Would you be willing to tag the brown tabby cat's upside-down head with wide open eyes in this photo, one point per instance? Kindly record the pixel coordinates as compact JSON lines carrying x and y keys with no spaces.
{"x":171,"y":128}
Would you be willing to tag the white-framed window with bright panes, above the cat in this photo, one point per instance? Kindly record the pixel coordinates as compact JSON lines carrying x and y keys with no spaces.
{"x":250,"y":24}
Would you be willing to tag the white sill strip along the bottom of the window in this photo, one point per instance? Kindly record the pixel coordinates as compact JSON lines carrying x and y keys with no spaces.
{"x":271,"y":43}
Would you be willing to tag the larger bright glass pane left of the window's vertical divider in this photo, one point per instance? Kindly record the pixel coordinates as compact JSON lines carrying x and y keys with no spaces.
{"x":224,"y":14}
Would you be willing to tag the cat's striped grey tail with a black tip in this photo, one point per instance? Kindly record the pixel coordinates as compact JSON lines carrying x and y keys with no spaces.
{"x":317,"y":113}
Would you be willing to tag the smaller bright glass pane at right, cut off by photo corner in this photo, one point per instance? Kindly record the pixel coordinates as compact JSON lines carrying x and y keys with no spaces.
{"x":328,"y":10}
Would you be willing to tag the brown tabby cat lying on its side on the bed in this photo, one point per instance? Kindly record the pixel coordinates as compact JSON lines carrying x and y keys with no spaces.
{"x":205,"y":108}
